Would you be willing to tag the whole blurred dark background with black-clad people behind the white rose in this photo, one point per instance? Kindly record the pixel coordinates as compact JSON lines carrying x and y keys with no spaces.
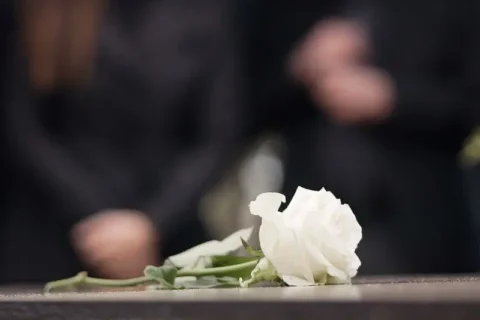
{"x":133,"y":130}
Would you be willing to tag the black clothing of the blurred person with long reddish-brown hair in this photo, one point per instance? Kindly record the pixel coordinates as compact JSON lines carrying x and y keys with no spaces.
{"x":154,"y":130}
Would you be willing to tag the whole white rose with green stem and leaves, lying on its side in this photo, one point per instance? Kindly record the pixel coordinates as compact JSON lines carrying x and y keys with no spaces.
{"x":311,"y":242}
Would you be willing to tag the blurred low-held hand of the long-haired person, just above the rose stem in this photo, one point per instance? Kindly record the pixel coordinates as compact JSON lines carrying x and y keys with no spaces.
{"x":117,"y":243}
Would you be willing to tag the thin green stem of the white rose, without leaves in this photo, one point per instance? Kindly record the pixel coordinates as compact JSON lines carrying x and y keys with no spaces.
{"x":83,"y":279}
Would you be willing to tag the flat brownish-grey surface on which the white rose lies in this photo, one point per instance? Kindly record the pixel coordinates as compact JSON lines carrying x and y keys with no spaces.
{"x":388,"y":298}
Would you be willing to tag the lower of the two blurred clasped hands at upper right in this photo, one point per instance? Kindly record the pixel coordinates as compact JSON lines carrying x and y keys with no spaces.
{"x":355,"y":94}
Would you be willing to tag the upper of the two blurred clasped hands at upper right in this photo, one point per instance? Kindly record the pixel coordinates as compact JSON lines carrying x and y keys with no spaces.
{"x":330,"y":45}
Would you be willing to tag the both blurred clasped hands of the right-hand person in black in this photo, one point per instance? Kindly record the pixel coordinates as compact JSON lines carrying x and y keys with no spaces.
{"x":333,"y":63}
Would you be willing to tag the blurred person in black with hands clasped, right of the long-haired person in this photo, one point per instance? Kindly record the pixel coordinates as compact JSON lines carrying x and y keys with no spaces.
{"x":395,"y":87}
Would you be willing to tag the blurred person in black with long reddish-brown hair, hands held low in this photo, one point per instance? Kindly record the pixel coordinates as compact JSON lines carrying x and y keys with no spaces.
{"x":119,"y":115}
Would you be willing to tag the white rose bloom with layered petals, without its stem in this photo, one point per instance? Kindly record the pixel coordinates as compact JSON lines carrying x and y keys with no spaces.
{"x":312,"y":241}
